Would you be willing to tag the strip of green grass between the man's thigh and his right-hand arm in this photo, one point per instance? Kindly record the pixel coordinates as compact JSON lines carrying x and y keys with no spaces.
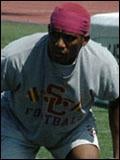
{"x":104,"y":135}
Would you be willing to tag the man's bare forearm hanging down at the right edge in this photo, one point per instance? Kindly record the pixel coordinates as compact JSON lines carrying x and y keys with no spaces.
{"x":114,"y":126}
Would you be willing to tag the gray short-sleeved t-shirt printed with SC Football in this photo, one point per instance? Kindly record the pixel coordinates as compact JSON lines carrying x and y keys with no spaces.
{"x":51,"y":99}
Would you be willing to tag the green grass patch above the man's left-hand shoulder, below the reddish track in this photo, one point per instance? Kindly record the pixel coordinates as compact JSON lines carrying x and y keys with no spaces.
{"x":11,"y":31}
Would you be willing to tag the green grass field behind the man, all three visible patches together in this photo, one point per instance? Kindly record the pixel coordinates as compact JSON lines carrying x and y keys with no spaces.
{"x":11,"y":31}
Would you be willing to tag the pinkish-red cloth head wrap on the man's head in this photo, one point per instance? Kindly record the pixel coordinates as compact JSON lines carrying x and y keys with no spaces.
{"x":71,"y":17}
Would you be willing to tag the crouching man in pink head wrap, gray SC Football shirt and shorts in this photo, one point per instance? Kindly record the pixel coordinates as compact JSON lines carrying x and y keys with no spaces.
{"x":49,"y":86}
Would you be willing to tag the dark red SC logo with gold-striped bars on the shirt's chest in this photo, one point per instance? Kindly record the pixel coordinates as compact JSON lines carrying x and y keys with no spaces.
{"x":54,"y":98}
